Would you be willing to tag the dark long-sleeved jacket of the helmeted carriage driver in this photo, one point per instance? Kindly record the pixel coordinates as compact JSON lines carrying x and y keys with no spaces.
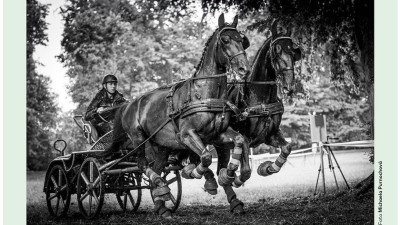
{"x":102,"y":100}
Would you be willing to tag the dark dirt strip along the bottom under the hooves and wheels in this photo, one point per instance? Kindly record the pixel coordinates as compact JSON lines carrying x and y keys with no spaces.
{"x":335,"y":209}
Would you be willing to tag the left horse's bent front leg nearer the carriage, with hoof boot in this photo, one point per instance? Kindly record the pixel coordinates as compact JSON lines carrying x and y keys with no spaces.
{"x":191,"y":139}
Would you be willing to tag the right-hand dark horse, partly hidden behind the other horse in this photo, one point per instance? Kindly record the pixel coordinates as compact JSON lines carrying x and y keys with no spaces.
{"x":272,"y":73}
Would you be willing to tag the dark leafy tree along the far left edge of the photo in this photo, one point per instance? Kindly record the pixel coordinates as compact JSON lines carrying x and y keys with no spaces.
{"x":41,"y":109}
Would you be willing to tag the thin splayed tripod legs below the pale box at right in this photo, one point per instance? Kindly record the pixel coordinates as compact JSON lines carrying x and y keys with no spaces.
{"x":331,"y":168}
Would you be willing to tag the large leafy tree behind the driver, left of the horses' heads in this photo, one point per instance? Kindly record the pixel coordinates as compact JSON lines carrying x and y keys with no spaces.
{"x":144,"y":43}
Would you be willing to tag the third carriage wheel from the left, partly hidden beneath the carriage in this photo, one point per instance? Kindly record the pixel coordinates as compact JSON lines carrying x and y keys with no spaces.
{"x":129,"y":200}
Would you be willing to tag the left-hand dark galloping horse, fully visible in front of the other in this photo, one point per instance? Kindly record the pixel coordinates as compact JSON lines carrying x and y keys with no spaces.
{"x":187,"y":114}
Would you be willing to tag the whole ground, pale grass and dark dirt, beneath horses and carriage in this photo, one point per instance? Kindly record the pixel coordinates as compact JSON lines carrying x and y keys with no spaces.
{"x":283,"y":198}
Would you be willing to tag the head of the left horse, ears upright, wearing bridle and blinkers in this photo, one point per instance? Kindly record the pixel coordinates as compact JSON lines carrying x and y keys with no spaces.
{"x":230,"y":48}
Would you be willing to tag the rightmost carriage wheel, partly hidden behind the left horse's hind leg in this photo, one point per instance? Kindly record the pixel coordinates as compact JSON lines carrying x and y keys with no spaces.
{"x":174,"y":182}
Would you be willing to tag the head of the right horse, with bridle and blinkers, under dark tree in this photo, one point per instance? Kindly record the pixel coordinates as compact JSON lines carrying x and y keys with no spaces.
{"x":284,"y":53}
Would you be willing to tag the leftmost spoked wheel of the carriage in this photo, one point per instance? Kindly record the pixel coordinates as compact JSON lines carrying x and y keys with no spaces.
{"x":58,"y":192}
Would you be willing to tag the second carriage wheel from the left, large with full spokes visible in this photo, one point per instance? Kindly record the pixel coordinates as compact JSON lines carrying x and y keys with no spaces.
{"x":90,"y":188}
